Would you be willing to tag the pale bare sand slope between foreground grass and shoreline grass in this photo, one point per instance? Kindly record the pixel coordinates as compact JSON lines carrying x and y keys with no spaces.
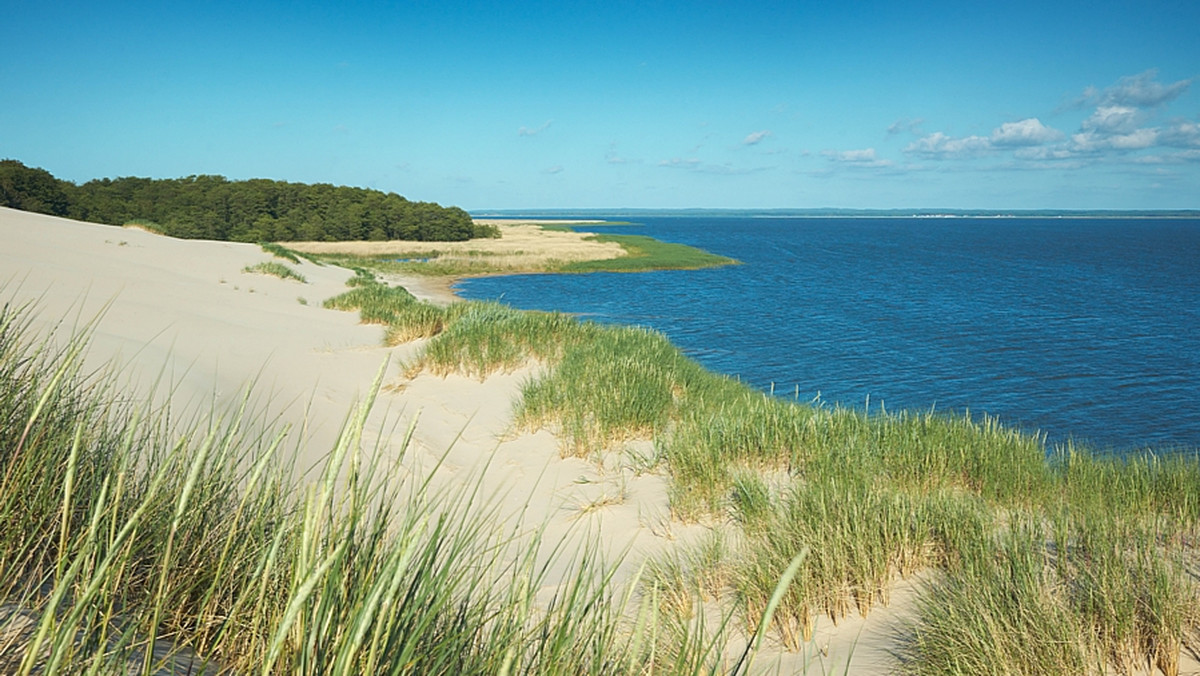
{"x":183,"y":313}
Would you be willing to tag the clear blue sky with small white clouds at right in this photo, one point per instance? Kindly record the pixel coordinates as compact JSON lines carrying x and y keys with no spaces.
{"x":623,"y":105}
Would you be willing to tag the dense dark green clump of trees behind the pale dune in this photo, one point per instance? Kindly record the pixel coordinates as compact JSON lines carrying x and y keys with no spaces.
{"x":212,"y":207}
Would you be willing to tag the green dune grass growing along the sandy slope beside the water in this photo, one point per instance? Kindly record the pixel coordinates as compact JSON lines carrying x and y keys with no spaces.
{"x":1030,"y":561}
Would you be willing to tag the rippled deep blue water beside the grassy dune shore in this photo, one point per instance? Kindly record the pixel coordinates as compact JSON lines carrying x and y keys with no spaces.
{"x":1085,"y":330}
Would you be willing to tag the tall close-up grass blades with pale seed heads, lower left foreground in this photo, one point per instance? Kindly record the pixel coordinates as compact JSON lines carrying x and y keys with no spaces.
{"x":130,"y":546}
